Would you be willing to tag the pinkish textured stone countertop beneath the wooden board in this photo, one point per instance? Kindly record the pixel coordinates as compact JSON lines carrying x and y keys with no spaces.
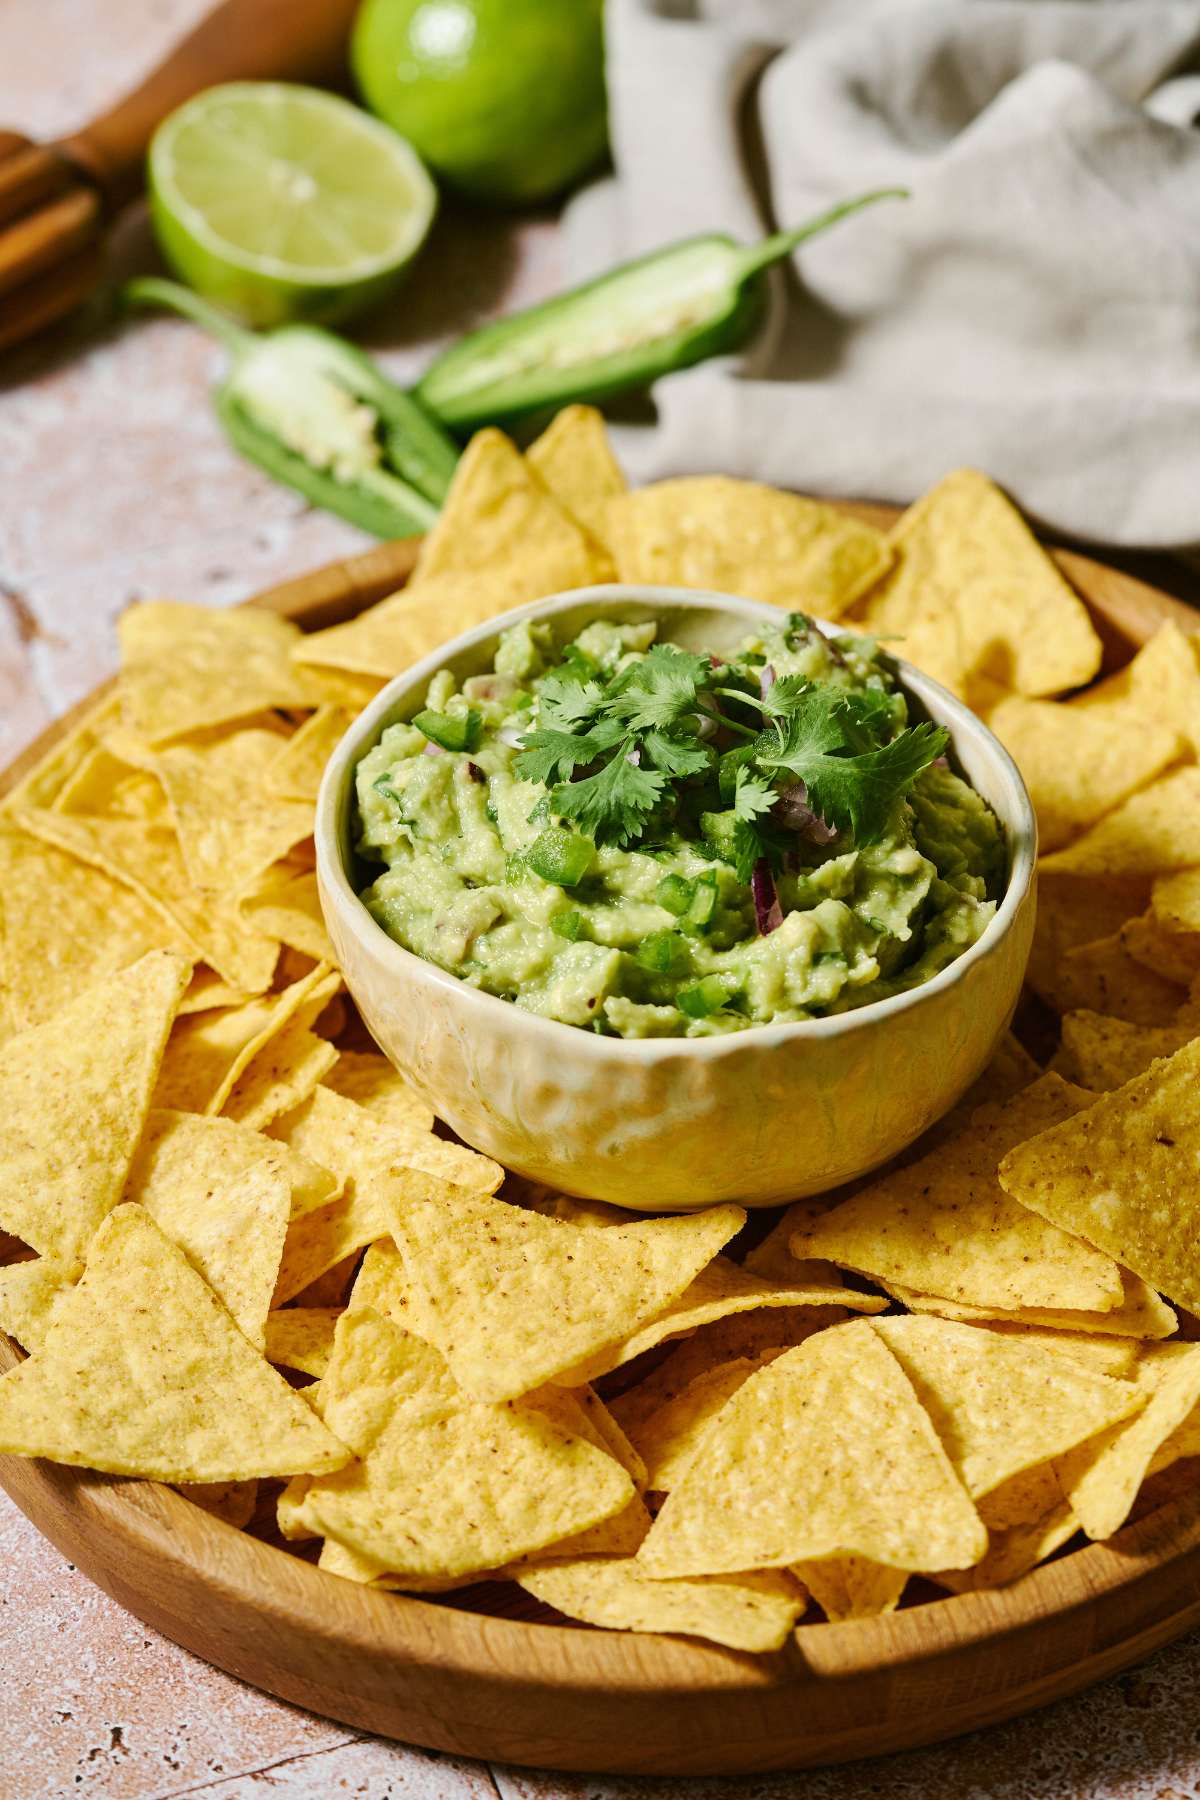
{"x":116,"y":485}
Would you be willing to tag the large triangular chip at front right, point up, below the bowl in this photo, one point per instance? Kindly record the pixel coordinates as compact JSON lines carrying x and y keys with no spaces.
{"x":827,"y":1452}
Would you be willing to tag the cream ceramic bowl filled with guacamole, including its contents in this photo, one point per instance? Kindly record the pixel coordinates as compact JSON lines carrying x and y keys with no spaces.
{"x":625,"y":832}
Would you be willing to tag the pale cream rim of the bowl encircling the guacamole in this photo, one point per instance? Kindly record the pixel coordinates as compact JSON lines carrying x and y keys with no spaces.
{"x":364,"y":732}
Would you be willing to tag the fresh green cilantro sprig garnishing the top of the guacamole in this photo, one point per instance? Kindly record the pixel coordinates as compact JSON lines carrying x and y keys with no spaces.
{"x":674,"y":728}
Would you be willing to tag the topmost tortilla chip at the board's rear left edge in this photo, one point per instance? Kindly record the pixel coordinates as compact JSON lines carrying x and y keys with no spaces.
{"x":186,"y":669}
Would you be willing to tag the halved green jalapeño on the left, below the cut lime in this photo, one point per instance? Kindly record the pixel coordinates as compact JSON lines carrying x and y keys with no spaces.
{"x":323,"y":418}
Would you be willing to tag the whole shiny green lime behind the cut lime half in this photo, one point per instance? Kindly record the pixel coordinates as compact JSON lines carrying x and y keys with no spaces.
{"x":505,"y":100}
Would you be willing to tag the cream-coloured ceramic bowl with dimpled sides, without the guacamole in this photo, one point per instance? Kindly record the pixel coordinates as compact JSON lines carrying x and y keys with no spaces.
{"x":758,"y":1117}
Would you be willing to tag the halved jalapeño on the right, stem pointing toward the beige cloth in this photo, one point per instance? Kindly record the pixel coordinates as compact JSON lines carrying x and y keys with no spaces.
{"x":623,"y":330}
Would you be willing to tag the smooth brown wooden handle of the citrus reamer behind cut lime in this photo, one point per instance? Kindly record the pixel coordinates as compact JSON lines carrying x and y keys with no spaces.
{"x":242,"y":40}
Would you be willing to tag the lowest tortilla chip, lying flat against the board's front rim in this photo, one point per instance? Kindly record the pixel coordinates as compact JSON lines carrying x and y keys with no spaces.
{"x":746,"y":1614}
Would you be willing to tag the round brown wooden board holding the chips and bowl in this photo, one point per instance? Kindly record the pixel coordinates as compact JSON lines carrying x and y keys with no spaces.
{"x":569,"y":1698}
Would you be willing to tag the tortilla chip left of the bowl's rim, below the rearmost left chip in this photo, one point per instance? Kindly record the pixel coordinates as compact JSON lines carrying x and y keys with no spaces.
{"x":231,"y":827}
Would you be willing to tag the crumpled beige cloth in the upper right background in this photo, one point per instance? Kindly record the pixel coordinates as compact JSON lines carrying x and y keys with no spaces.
{"x":1032,"y":310}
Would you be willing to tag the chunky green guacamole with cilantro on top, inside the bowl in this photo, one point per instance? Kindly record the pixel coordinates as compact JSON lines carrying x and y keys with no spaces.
{"x":625,"y":836}
